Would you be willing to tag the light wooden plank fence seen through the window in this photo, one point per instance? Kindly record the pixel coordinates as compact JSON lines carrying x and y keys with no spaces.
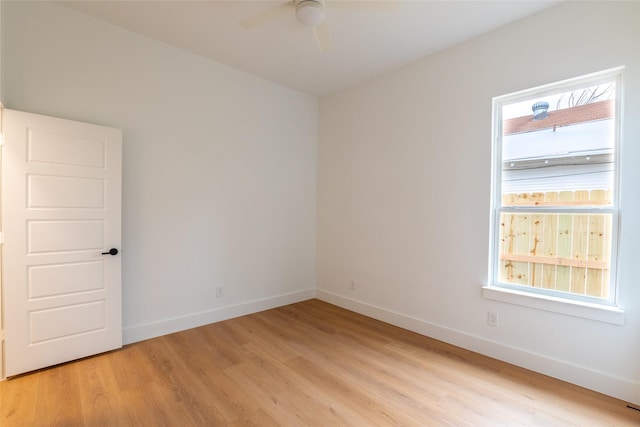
{"x":564,"y":252}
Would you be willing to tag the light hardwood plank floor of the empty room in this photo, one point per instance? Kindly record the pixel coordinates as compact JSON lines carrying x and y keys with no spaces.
{"x":309,"y":363}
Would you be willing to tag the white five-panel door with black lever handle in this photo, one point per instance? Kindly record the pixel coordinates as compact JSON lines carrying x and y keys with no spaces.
{"x":61,"y":191}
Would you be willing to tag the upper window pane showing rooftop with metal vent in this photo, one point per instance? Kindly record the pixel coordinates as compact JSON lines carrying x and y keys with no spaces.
{"x":558,"y":150}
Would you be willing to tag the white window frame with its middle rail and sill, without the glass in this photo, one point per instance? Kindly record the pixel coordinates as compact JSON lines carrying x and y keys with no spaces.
{"x":606,"y":310}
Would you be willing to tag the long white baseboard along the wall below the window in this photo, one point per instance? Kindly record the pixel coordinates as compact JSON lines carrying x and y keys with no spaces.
{"x":620,"y":388}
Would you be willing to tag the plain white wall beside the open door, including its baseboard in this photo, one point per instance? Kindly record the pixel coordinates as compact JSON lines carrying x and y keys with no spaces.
{"x":219,"y":166}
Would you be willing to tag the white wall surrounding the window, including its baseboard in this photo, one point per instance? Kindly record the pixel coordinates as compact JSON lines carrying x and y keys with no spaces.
{"x":404,"y":183}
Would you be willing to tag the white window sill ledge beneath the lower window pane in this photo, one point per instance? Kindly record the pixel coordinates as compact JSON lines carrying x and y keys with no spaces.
{"x":582,"y":309}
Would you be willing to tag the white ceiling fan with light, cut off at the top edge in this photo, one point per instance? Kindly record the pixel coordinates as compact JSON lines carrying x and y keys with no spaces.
{"x":311,"y":13}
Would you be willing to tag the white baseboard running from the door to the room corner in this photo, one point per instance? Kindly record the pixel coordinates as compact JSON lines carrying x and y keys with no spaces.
{"x":151,"y":330}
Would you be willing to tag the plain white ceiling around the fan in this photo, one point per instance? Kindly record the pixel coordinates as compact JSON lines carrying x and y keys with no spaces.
{"x":368,"y":37}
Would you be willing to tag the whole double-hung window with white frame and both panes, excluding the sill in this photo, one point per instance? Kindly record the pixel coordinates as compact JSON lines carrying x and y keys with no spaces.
{"x":555,"y":189}
